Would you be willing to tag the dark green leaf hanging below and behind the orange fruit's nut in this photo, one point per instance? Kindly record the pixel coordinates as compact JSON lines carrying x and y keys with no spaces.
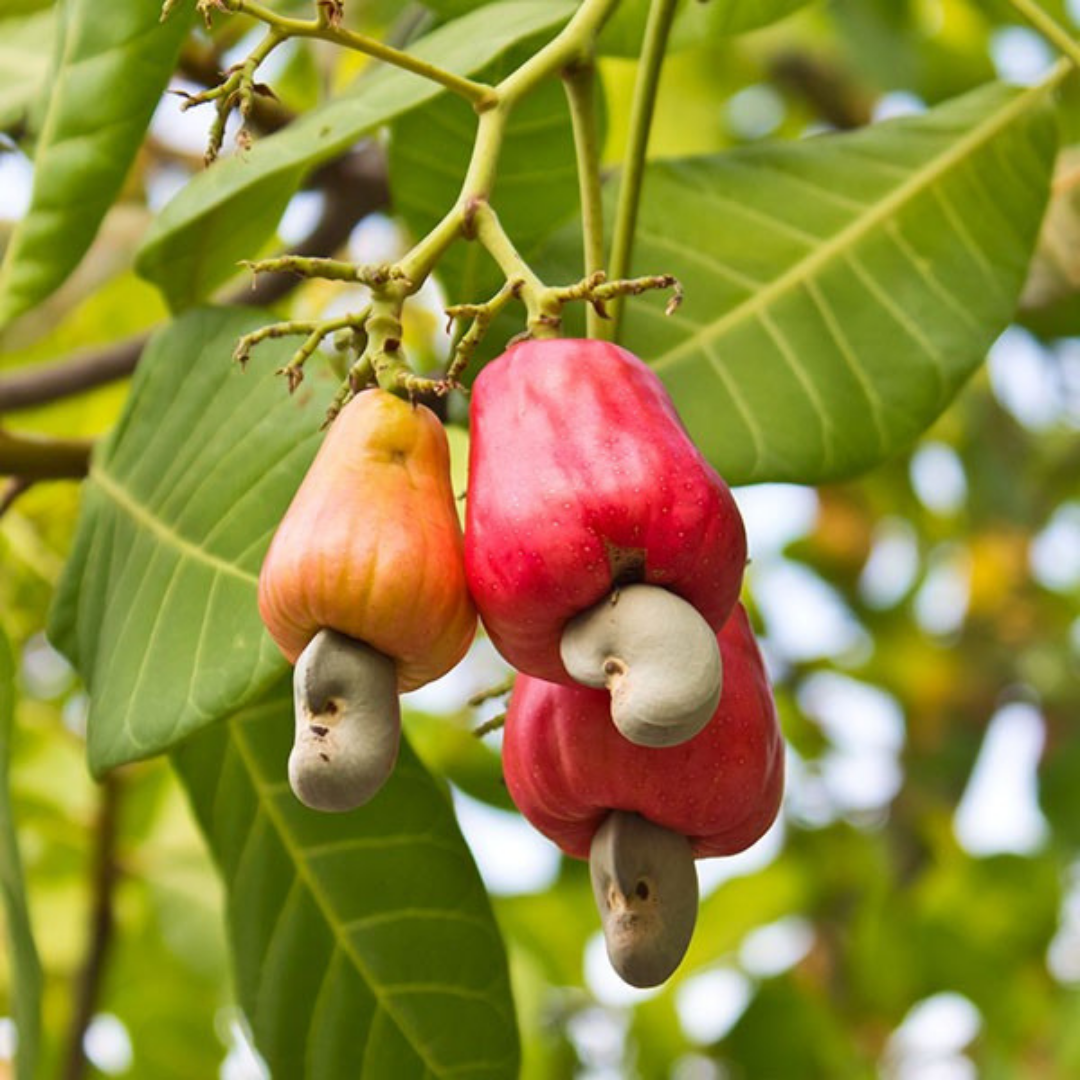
{"x":364,"y":943}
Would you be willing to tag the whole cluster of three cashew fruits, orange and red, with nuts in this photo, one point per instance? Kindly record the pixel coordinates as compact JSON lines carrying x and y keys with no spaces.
{"x":605,"y":557}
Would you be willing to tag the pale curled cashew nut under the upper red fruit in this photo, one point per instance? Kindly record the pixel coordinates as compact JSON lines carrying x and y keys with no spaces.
{"x":657,"y":656}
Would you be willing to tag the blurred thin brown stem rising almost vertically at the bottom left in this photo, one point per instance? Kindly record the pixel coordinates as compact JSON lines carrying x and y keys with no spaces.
{"x":106,"y":873}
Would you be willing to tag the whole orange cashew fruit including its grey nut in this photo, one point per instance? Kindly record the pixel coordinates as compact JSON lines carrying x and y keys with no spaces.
{"x":363,"y":589}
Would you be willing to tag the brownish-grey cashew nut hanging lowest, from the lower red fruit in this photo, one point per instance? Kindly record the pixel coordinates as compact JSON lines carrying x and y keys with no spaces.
{"x":646,"y":889}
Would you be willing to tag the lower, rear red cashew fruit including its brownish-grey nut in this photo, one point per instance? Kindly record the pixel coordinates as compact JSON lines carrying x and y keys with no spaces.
{"x":641,"y":816}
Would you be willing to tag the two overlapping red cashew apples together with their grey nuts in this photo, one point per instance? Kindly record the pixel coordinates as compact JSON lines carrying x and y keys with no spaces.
{"x":605,"y":557}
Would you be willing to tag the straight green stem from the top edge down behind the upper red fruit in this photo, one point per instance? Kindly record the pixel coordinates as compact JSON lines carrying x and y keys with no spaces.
{"x":657,"y":30}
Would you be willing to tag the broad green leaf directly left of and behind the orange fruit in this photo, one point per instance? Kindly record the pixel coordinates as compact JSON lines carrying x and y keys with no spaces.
{"x":157,"y":607}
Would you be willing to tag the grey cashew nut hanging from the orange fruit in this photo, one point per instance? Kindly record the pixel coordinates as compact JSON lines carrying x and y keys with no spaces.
{"x":348,"y":723}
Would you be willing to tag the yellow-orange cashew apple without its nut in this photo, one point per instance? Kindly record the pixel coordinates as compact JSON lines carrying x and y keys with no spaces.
{"x":372,"y":546}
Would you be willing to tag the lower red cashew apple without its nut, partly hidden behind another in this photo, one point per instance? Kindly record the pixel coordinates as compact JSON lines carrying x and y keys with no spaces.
{"x":566,"y":765}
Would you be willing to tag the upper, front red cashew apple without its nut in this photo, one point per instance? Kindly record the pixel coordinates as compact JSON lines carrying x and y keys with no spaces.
{"x":582,"y":477}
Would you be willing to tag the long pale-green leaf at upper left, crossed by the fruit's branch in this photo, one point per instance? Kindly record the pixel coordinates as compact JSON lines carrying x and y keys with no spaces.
{"x":226,"y":213}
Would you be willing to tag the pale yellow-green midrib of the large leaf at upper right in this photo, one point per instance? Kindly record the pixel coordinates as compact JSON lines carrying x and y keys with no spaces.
{"x":847,"y":238}
